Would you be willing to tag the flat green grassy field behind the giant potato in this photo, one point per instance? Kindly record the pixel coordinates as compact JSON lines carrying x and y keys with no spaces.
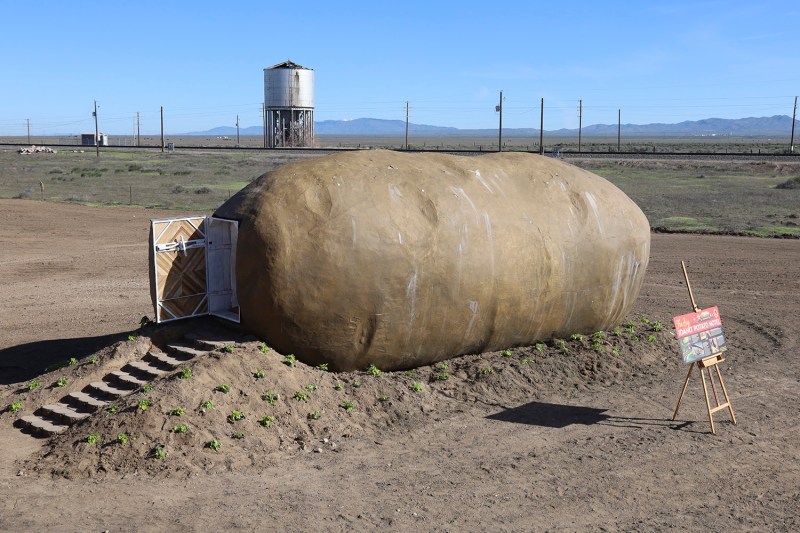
{"x":677,"y":196}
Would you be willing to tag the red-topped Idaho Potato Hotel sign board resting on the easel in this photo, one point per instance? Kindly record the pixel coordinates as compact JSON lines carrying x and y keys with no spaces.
{"x":700,"y":334}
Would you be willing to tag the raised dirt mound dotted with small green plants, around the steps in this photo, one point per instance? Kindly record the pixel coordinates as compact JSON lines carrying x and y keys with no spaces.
{"x":242,"y":405}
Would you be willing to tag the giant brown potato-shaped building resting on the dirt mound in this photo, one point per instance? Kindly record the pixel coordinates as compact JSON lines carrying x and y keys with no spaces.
{"x":403,"y":260}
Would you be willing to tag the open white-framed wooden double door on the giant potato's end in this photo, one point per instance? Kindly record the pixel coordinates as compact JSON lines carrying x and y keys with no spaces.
{"x":193,"y":268}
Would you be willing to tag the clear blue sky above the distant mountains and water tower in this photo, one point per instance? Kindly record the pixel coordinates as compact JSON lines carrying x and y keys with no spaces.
{"x":203,"y":61}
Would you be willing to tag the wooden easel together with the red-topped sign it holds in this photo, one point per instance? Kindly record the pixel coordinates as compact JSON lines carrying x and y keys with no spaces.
{"x":702,"y":344}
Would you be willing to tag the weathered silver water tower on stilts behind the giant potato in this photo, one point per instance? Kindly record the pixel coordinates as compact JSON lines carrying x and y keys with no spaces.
{"x":289,"y":105}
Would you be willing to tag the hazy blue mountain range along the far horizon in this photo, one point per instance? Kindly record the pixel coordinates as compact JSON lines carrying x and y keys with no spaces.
{"x":778,"y":125}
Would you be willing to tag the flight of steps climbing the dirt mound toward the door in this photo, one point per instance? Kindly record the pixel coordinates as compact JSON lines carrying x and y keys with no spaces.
{"x":55,"y":418}
